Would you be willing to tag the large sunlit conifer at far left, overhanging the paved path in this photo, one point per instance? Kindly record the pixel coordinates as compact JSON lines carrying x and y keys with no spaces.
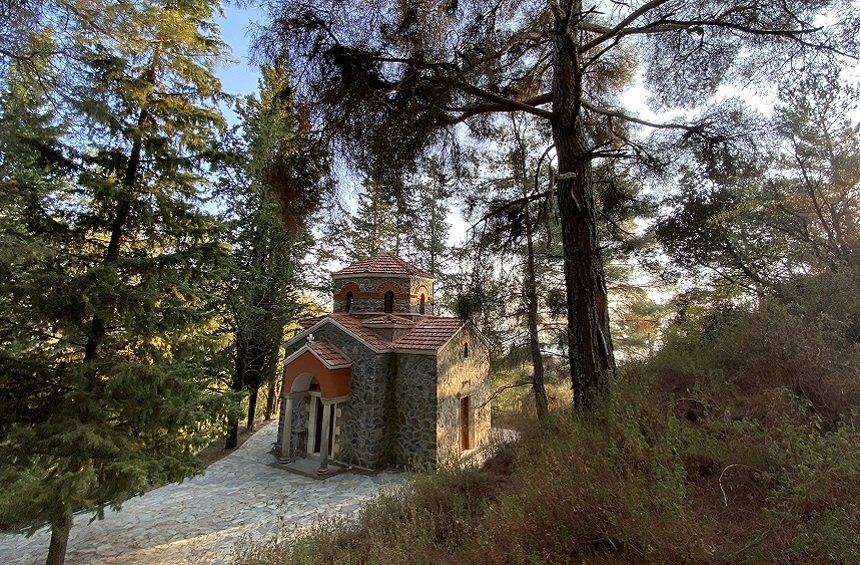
{"x":108,"y":262}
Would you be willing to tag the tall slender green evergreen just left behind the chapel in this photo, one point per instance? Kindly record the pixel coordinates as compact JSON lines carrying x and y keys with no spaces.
{"x":262,"y":295}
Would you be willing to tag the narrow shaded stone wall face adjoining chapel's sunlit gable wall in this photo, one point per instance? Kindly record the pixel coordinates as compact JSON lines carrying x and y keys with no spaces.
{"x":413,"y":420}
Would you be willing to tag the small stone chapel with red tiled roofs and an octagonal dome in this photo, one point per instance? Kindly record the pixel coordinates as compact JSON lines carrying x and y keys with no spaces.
{"x":382,"y":381}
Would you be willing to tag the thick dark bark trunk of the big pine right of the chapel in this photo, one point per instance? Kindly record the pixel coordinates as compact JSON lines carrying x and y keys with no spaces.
{"x":592,"y":362}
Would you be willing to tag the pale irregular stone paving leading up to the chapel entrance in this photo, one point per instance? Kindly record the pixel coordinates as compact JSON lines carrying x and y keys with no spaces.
{"x":200,"y":520}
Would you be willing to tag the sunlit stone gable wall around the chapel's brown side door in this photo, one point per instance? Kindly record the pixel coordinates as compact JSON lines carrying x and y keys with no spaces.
{"x":458,"y":377}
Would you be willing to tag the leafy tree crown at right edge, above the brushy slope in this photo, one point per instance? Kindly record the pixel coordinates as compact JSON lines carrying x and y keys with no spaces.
{"x":751,"y":218}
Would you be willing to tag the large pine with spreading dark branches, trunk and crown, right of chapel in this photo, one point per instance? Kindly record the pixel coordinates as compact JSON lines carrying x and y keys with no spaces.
{"x":396,"y":82}
